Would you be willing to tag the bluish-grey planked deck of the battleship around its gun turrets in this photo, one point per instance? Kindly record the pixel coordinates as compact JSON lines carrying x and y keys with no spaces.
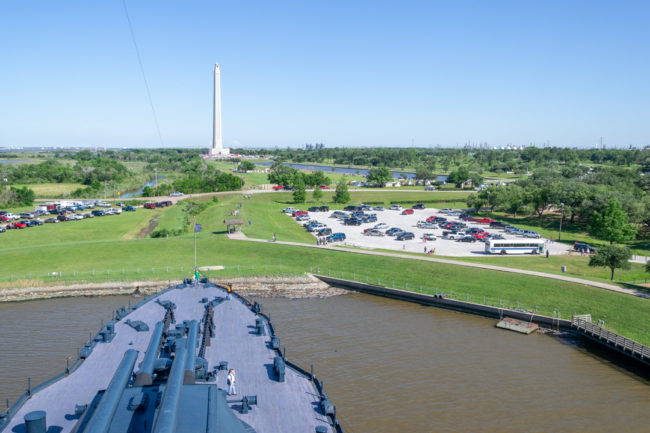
{"x":288,"y":406}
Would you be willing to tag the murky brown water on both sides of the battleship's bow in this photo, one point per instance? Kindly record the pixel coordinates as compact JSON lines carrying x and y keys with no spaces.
{"x":389,"y":366}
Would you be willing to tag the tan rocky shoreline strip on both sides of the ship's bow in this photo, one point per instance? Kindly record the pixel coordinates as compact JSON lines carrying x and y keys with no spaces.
{"x":291,"y":288}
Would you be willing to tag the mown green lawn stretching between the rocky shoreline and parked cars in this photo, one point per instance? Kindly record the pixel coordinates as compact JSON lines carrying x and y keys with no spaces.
{"x":106,"y":248}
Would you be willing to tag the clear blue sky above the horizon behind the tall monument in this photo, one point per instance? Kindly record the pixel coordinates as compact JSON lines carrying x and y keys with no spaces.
{"x":344,"y":73}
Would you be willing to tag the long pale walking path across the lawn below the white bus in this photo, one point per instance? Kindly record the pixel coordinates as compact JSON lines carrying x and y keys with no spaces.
{"x":242,"y":237}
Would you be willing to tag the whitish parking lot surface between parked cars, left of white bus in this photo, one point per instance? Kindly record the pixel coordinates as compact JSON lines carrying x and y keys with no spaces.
{"x":354,"y":234}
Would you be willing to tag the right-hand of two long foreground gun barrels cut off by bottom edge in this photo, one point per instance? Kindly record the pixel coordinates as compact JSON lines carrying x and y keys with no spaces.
{"x":166,"y":421}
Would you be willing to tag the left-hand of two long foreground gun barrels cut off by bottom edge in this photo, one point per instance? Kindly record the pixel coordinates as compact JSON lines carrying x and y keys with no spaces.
{"x":100,"y":422}
